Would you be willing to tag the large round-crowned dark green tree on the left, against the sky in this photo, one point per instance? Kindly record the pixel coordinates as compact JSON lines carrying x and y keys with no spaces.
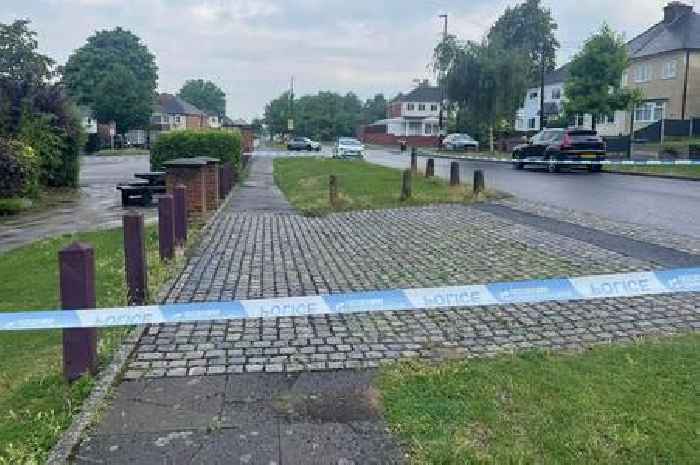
{"x":107,"y":55}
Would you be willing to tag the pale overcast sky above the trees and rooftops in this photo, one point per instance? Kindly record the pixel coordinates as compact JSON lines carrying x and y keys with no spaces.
{"x":250,"y":48}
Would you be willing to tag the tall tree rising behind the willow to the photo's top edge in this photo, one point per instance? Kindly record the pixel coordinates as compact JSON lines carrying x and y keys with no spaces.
{"x":528,"y":27}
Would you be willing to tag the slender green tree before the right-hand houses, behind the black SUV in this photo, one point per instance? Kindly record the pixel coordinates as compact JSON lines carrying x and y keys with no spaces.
{"x":594,"y":82}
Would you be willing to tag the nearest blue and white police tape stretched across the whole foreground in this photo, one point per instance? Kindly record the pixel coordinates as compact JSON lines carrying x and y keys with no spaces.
{"x":565,"y":289}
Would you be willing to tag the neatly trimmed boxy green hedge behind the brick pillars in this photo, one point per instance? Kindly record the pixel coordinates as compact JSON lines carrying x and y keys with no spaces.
{"x":224,"y":145}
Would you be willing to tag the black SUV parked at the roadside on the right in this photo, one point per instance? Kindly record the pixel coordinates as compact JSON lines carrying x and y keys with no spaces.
{"x":561,"y":145}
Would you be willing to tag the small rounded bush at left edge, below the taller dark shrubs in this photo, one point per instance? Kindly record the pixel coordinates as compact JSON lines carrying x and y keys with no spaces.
{"x":18,"y":170}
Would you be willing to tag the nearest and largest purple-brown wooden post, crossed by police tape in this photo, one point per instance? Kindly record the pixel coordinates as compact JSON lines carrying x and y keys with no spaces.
{"x":77,"y":286}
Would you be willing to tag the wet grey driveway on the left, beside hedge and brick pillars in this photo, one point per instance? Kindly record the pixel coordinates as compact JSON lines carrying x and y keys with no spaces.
{"x":98,"y":205}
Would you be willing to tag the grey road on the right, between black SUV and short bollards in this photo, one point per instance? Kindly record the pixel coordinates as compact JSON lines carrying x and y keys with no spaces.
{"x":670,"y":204}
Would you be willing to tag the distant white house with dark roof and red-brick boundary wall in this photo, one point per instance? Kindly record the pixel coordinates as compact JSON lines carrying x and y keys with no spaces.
{"x":413,"y":117}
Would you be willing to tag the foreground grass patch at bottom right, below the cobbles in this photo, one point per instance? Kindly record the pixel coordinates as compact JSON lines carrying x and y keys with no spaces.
{"x":633,"y":404}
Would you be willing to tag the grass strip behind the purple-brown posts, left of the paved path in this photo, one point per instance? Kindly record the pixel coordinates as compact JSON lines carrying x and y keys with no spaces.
{"x":35,"y":404}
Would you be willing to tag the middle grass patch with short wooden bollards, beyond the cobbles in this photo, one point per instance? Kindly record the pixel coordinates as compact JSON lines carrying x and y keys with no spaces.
{"x":362,"y":186}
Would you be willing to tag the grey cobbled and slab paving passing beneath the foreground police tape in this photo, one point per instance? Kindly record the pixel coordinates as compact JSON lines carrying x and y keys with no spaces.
{"x":298,"y":390}
